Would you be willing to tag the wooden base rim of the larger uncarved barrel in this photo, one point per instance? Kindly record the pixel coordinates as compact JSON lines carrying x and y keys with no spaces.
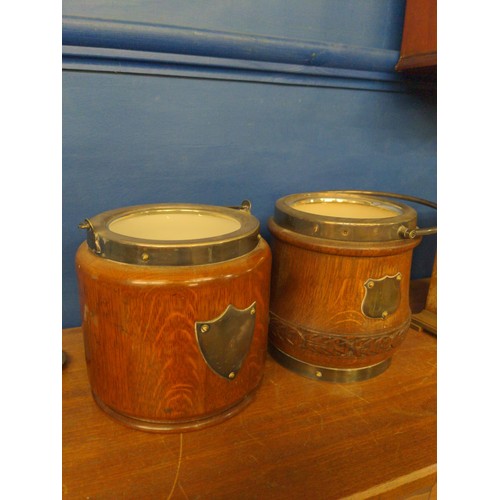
{"x":174,"y":426}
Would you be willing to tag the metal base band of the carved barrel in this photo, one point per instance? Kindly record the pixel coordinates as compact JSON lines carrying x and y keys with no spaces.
{"x":327,"y":374}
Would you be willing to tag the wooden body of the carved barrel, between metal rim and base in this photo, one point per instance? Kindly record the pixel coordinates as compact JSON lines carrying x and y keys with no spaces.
{"x":316,"y":307}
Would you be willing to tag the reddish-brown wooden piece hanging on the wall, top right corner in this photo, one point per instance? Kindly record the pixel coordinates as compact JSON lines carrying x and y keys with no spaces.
{"x":419,"y":44}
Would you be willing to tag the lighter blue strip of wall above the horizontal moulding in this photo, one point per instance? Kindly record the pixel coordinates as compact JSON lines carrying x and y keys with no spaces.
{"x":364,"y":23}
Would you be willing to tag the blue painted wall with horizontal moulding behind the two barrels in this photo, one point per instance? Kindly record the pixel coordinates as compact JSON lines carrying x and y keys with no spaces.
{"x":166,"y":121}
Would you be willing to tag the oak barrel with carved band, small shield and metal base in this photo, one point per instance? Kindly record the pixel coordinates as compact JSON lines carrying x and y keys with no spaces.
{"x":340,"y":282}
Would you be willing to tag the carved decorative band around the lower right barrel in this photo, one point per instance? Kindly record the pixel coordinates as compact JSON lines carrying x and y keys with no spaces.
{"x":335,"y":344}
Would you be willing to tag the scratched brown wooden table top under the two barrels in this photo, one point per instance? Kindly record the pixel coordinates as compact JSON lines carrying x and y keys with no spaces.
{"x":298,"y":438}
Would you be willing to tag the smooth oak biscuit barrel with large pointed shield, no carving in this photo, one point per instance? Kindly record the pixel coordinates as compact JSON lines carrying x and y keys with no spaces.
{"x":175,"y":310}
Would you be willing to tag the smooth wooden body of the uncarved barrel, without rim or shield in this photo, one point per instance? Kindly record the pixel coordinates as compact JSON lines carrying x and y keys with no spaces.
{"x":142,"y":354}
